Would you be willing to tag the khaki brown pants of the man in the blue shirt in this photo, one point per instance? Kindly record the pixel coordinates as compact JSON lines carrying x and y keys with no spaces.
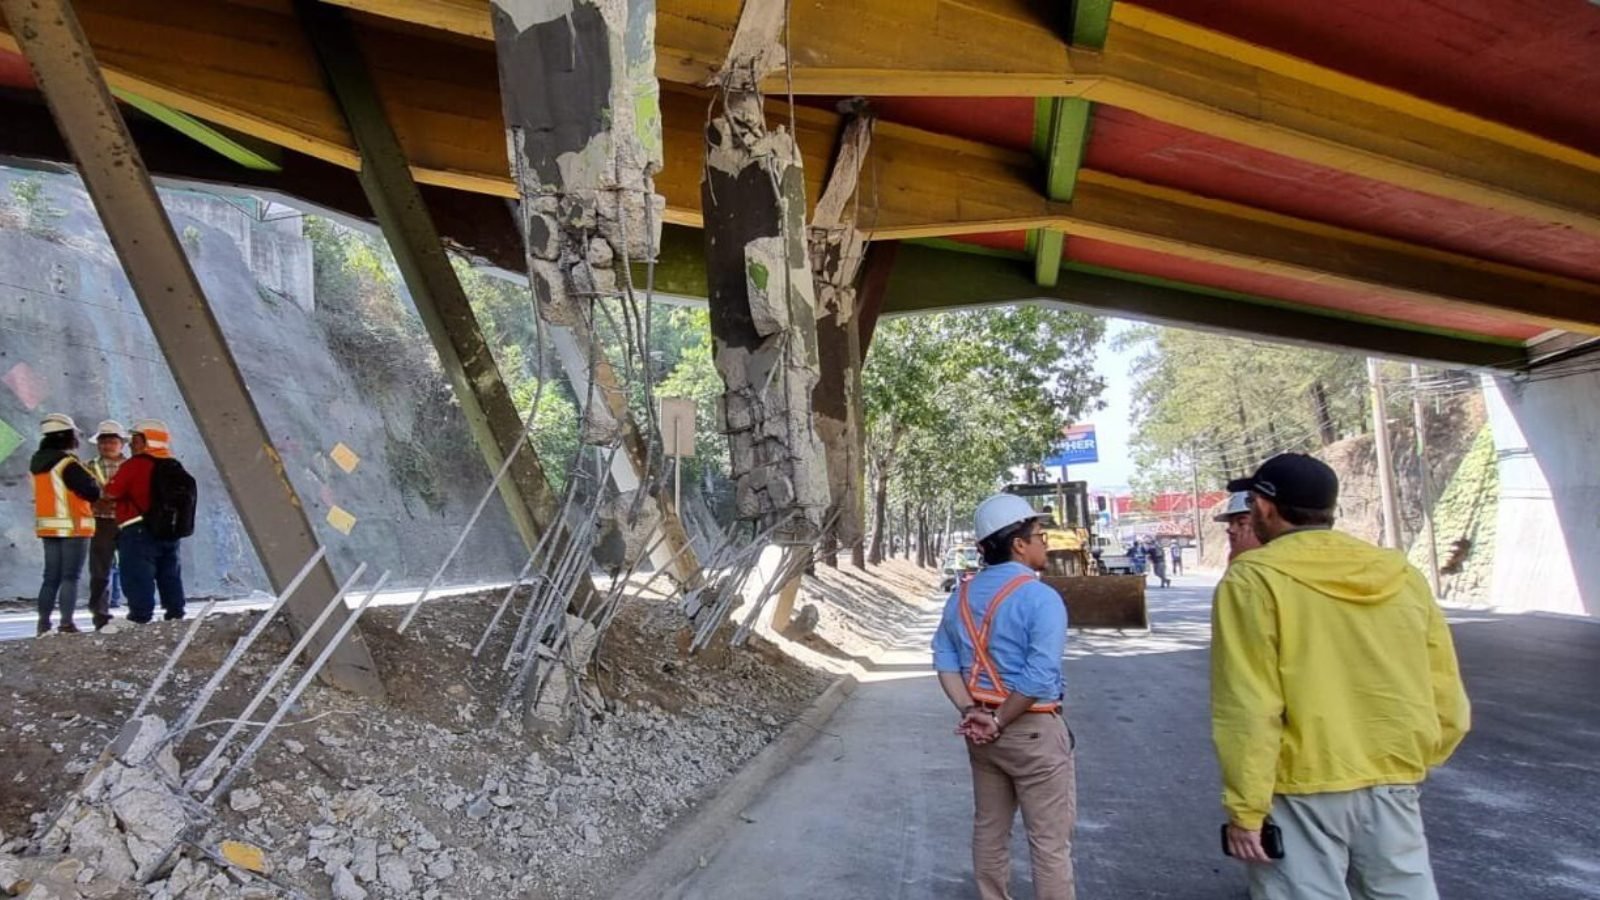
{"x":1031,"y":768}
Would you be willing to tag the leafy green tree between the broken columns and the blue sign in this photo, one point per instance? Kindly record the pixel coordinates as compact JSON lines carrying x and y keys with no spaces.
{"x":954,"y":401}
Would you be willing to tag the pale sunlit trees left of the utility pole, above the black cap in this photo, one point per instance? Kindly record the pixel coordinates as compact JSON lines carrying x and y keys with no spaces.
{"x":1215,"y":406}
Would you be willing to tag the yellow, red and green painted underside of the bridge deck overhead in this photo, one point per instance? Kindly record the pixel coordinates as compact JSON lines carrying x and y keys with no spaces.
{"x":1302,"y":174}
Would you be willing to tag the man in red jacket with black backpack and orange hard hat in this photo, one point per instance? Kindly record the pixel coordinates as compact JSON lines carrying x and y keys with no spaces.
{"x":148,"y":563}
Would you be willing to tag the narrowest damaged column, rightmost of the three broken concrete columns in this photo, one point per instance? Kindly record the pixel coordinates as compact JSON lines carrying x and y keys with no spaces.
{"x":838,"y":254}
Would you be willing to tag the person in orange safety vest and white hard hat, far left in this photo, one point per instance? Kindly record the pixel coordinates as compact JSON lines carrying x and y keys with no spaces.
{"x":65,"y":494}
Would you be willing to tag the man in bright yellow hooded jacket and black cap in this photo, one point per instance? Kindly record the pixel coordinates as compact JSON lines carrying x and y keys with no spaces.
{"x":1334,"y":691}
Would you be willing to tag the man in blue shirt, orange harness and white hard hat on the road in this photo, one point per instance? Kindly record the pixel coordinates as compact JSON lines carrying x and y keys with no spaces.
{"x":998,"y":653}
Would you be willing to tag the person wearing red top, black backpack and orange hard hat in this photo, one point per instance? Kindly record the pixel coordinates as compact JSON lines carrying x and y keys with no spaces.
{"x":154,"y":512}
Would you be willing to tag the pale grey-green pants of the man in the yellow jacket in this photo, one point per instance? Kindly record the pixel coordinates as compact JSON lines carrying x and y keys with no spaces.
{"x":1362,"y":845}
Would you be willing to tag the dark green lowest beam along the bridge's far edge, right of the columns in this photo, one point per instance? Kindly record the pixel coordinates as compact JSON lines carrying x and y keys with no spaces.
{"x":927,"y":279}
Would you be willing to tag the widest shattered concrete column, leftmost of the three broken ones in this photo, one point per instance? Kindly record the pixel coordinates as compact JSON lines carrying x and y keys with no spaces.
{"x":583,"y":123}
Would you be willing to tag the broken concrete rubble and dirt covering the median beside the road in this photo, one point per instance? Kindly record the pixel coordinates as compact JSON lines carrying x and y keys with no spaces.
{"x":428,"y":797}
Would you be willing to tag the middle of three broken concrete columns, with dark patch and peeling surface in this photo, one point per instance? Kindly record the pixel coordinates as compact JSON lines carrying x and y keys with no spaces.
{"x":761,"y":287}
